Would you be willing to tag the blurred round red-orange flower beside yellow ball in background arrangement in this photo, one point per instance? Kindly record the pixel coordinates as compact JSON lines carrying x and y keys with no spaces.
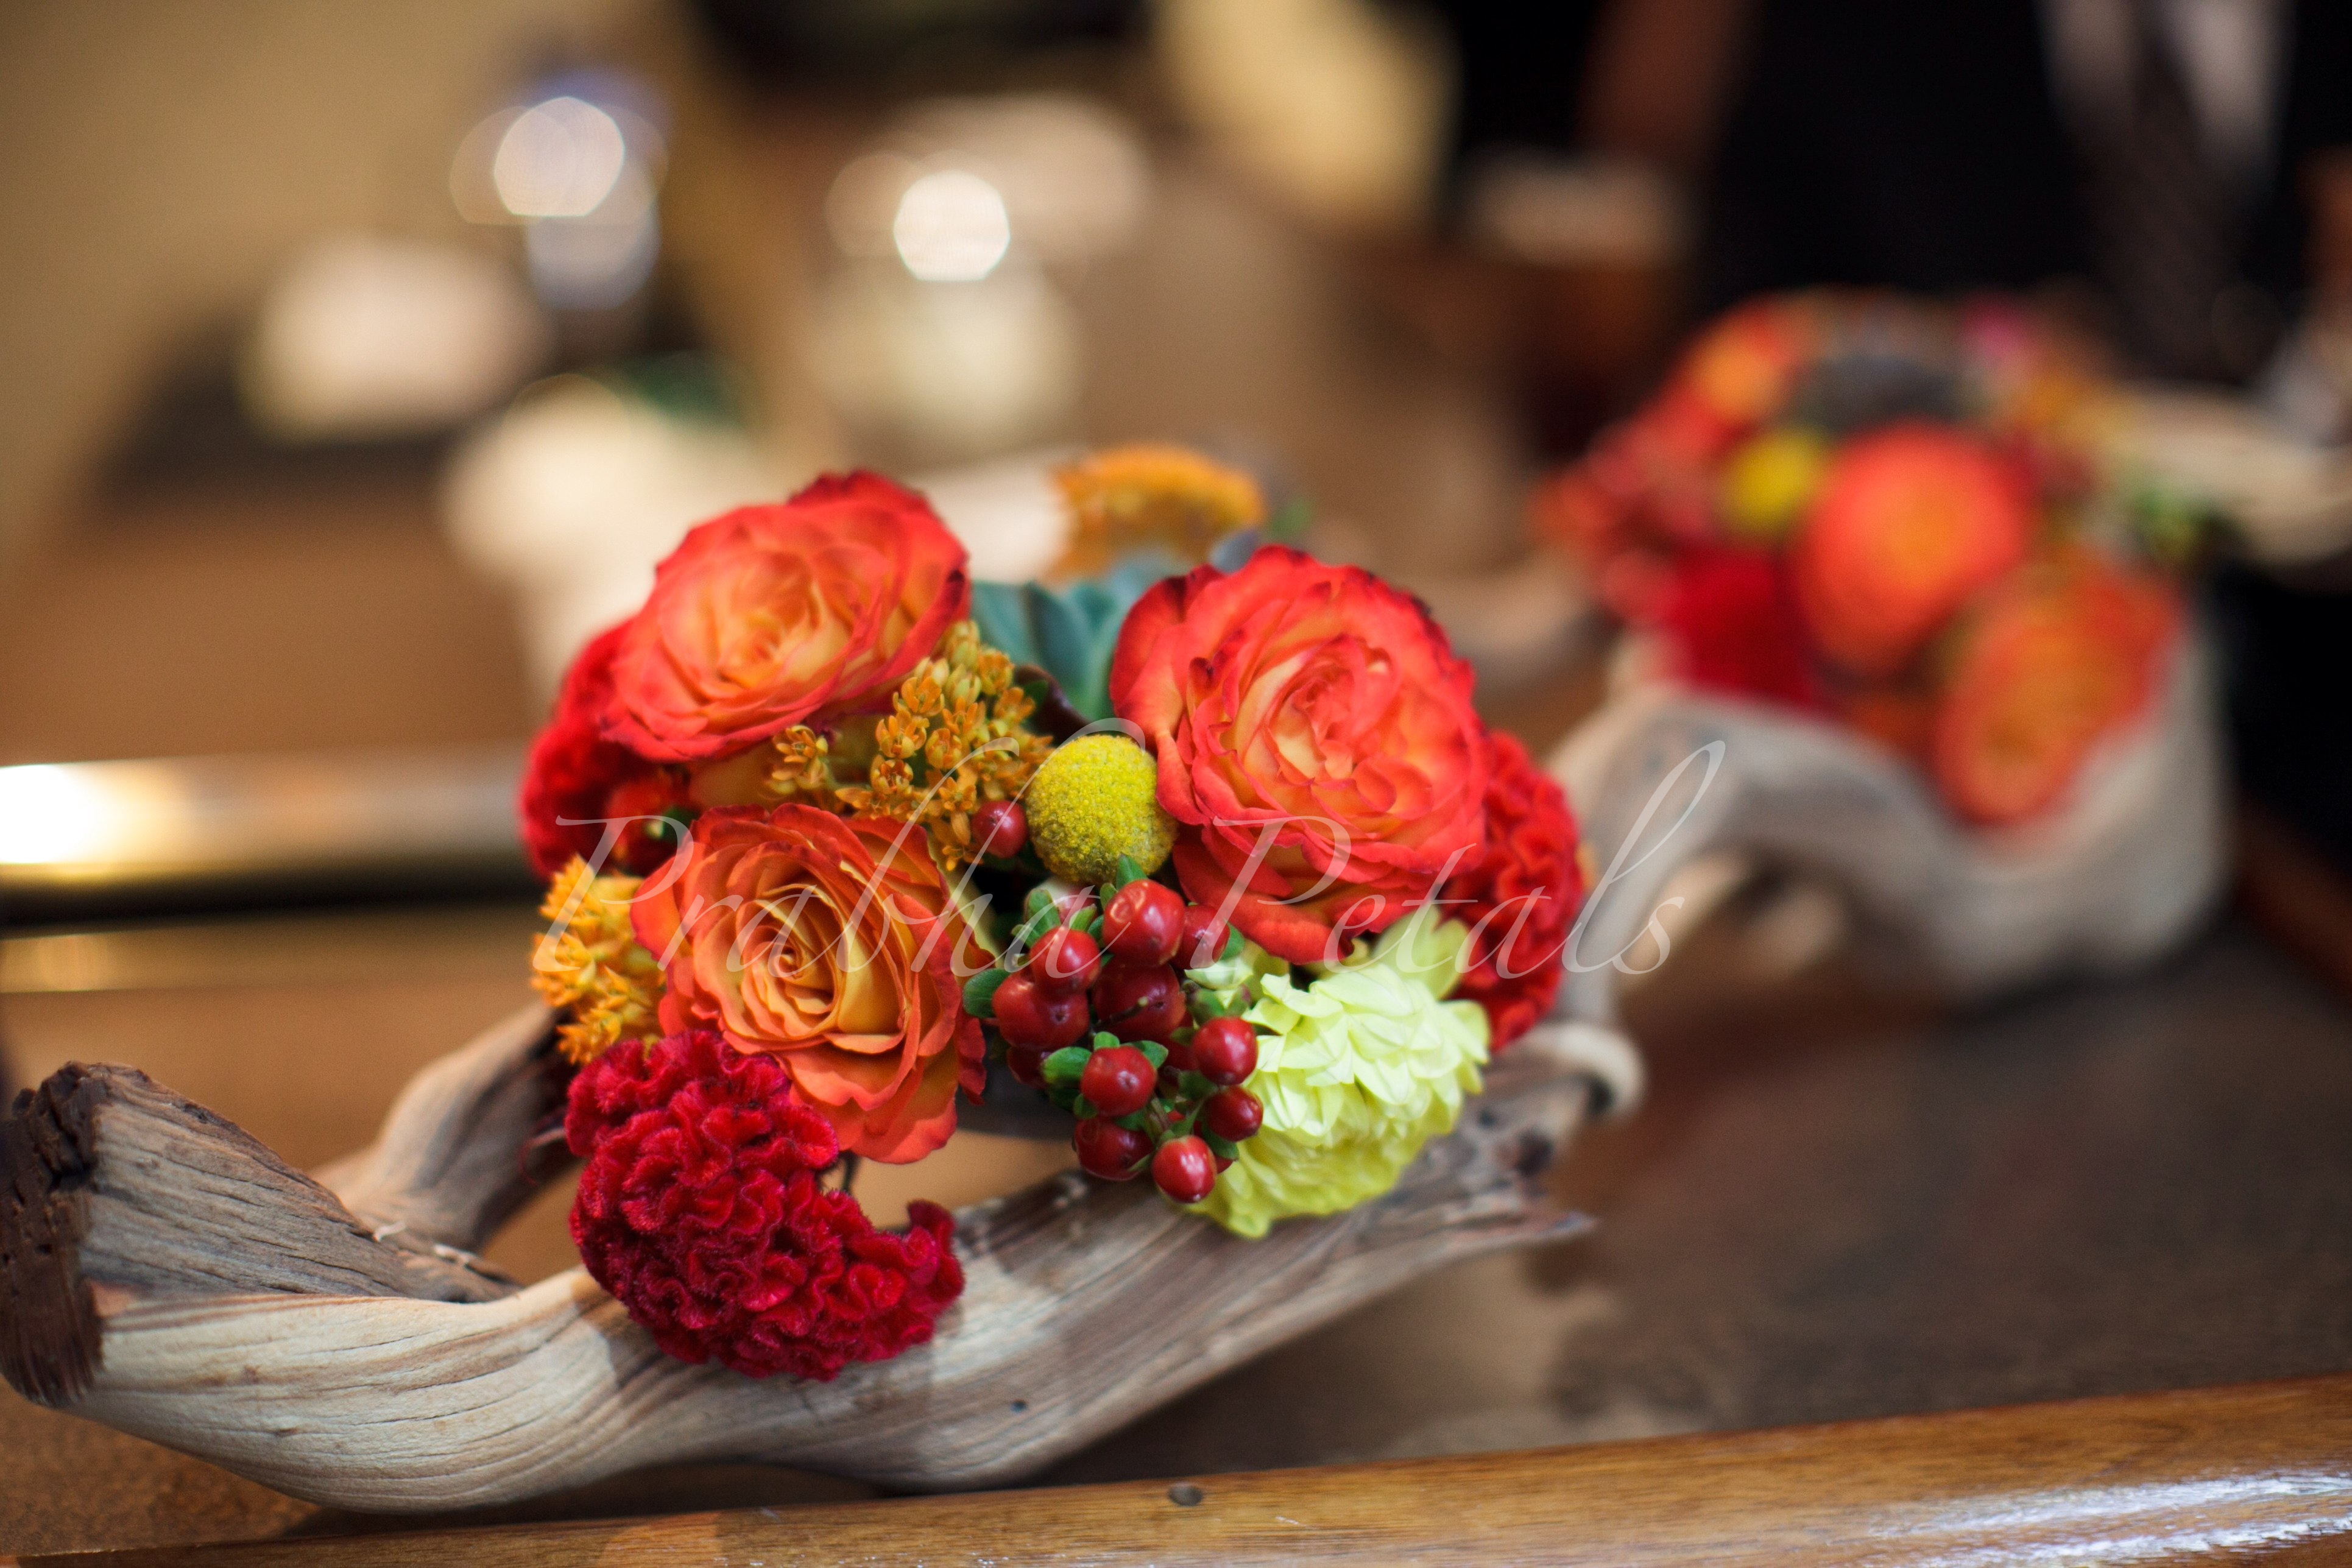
{"x":1906,"y":528}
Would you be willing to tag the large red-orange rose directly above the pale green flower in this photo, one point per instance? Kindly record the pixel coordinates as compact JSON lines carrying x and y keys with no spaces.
{"x":1316,"y":739}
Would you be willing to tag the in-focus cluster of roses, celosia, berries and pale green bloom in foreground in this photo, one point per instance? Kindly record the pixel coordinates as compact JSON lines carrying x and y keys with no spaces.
{"x":1201,"y":843}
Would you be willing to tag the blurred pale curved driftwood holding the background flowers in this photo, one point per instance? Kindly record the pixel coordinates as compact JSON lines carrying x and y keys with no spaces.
{"x":2113,"y":878}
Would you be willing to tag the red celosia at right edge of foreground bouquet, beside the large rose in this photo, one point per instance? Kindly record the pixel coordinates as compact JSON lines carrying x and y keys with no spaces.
{"x":1521,"y":894}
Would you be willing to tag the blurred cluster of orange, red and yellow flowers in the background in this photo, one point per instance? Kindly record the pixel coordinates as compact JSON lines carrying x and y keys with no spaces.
{"x":1892,"y":516}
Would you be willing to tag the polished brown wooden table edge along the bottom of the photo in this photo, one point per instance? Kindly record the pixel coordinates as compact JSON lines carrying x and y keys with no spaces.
{"x":2252,"y":1470}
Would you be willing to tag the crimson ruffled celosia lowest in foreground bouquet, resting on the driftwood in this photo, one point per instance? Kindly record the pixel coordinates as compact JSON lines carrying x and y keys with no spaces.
{"x":702,"y":1214}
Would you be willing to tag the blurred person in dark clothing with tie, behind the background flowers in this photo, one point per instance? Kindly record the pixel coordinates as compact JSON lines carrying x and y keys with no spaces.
{"x":2151,"y":147}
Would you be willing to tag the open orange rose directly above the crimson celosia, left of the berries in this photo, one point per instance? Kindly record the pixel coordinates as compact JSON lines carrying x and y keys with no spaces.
{"x":834,"y":949}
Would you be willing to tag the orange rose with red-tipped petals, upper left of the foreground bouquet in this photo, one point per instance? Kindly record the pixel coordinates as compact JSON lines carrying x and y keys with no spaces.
{"x":784,"y":615}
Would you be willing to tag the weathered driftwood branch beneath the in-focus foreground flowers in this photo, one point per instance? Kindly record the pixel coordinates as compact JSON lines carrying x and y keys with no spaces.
{"x":166,"y":1275}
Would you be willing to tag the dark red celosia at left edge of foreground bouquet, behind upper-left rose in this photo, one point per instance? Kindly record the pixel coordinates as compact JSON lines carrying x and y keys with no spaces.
{"x":577,"y":782}
